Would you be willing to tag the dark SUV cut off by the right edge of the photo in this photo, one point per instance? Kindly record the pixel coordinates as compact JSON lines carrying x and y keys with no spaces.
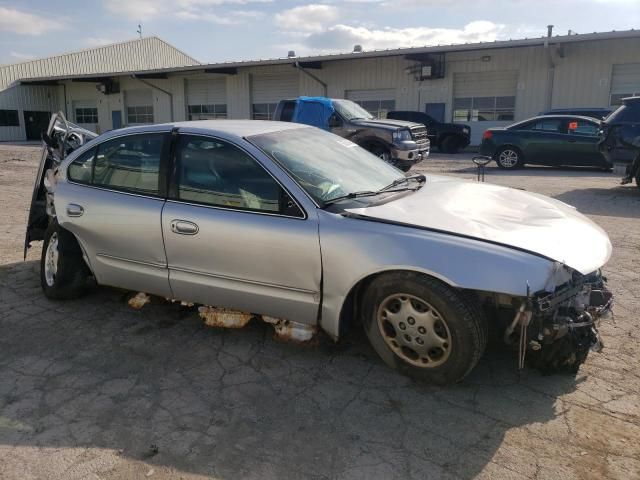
{"x":620,"y":138}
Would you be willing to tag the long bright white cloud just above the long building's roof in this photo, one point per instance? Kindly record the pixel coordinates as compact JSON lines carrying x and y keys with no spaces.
{"x":343,"y":37}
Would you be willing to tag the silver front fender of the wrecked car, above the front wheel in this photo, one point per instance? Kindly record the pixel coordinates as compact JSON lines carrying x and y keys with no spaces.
{"x":353,"y":249}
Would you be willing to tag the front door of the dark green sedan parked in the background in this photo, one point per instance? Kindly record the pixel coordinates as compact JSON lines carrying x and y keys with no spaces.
{"x":543,"y":141}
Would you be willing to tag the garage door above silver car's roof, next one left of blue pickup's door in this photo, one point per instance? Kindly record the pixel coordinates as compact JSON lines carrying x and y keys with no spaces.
{"x":206,"y":99}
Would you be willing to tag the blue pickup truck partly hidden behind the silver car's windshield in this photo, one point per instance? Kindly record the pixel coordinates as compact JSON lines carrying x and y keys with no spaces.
{"x":399,"y":143}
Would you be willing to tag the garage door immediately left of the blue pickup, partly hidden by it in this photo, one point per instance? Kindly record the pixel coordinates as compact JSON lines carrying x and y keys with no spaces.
{"x":268,"y":90}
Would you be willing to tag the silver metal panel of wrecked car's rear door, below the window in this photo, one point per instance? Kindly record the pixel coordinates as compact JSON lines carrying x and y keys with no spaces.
{"x":120,"y":235}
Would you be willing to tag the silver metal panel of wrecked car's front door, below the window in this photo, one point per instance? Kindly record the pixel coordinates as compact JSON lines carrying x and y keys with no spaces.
{"x":265,"y":264}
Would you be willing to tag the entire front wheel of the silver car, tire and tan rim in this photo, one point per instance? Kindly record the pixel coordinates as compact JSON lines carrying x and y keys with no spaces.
{"x":423,"y":328}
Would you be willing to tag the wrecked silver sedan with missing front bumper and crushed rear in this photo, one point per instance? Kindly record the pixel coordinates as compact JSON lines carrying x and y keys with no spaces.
{"x":306,"y":230}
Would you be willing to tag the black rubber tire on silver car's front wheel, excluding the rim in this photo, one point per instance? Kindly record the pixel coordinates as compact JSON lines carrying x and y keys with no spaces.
{"x":464,"y":322}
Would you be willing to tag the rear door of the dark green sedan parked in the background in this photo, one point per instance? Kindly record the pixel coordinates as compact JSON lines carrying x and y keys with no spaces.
{"x":581,"y":147}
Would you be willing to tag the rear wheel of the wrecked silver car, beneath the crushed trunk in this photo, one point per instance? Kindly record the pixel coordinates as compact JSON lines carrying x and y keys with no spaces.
{"x":71,"y":272}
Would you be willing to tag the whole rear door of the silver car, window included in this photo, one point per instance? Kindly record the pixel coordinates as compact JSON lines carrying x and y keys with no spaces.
{"x":111,"y":199}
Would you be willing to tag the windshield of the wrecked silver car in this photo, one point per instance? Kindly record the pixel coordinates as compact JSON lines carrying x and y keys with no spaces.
{"x":325,"y":165}
